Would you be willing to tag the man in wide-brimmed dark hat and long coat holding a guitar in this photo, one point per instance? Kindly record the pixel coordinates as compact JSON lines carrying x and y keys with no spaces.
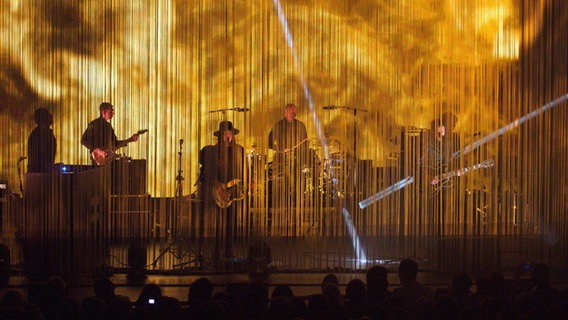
{"x":221,"y":185}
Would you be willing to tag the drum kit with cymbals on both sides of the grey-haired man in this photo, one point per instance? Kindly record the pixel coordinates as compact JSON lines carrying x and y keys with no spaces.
{"x":330,"y":177}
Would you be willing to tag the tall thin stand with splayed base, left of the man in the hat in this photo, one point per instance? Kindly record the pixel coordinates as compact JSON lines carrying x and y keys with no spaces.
{"x":178,"y":246}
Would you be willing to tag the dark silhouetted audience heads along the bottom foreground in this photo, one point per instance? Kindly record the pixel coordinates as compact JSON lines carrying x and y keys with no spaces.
{"x":494,"y":297}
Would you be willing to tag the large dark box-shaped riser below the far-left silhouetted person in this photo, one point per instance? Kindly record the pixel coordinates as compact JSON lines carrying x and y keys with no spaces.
{"x":65,"y":217}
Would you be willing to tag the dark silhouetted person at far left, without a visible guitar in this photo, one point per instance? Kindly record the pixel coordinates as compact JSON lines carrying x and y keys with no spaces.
{"x":41,"y":143}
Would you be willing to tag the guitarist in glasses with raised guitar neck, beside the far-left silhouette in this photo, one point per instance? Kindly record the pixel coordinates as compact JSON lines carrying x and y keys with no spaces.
{"x":99,"y":137}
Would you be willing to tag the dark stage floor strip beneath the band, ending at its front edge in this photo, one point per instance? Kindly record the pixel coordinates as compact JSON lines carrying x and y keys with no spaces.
{"x":84,"y":256}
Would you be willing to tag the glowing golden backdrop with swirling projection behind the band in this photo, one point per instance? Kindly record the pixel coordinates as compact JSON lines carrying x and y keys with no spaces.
{"x":175,"y":67}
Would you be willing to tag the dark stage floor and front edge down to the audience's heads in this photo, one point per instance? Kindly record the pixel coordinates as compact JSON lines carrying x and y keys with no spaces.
{"x":298,"y":261}
